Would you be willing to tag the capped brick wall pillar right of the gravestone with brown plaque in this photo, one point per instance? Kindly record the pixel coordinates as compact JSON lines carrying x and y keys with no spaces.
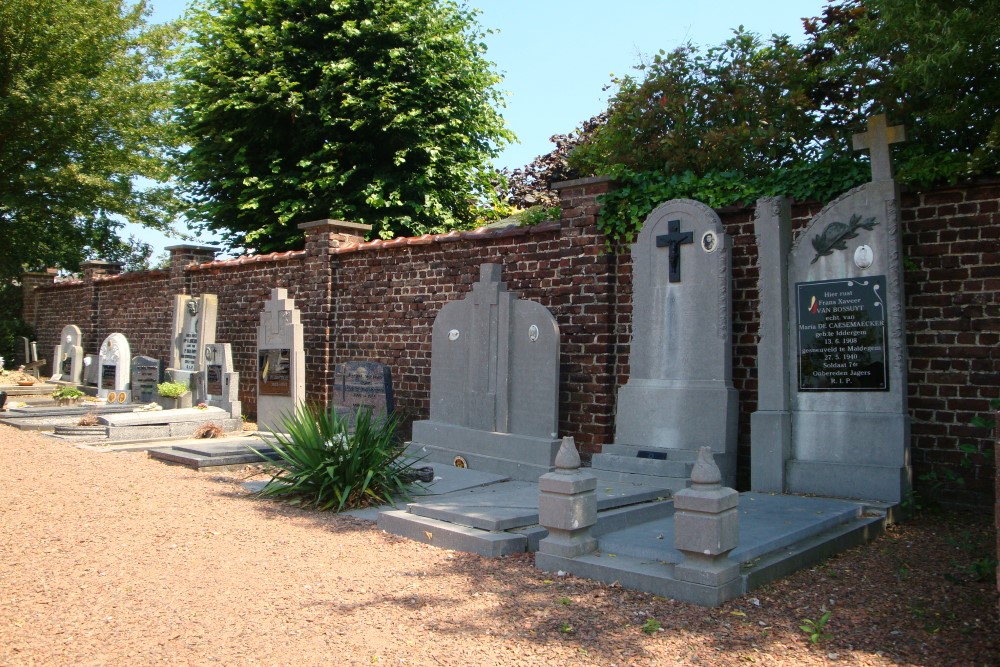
{"x":316,"y":298}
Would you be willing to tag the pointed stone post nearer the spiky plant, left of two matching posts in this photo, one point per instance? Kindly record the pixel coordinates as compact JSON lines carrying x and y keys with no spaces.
{"x":567,"y":505}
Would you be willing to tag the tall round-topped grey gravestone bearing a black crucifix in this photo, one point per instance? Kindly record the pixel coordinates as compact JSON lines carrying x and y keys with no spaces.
{"x":679,"y":396}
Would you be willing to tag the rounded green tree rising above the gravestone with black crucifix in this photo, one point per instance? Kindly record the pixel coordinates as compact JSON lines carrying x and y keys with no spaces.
{"x":741,"y":107}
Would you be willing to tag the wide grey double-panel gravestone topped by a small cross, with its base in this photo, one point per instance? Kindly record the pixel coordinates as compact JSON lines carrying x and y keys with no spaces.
{"x":494,"y":384}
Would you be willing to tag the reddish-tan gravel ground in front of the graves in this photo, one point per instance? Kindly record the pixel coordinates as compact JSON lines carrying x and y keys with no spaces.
{"x":114,"y":558}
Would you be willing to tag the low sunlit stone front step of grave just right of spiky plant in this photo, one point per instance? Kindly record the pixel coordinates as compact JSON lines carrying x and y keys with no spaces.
{"x":446,"y":535}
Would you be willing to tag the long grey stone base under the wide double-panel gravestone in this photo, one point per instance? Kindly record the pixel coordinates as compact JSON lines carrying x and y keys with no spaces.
{"x":519,"y":457}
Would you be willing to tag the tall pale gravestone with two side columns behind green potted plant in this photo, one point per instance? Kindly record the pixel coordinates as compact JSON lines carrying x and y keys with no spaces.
{"x":193,"y":329}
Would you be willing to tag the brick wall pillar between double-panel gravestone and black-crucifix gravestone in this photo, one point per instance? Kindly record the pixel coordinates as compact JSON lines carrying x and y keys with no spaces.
{"x":584,"y":302}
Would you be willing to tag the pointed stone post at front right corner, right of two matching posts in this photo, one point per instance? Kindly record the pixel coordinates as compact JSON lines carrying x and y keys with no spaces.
{"x":706,"y":526}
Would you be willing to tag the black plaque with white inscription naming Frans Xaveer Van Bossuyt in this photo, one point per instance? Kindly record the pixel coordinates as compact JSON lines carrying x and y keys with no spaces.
{"x":842,"y":335}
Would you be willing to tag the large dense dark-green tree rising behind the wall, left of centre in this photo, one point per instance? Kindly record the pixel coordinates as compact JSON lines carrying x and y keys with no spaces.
{"x":375,"y":111}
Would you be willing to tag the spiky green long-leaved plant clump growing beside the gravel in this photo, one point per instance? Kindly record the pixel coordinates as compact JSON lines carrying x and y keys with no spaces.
{"x":324,"y":463}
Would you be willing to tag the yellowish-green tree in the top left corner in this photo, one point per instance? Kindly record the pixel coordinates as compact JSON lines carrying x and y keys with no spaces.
{"x":84,"y":111}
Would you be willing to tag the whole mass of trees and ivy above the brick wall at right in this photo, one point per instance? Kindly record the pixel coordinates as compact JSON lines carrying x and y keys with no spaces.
{"x":755,"y":117}
